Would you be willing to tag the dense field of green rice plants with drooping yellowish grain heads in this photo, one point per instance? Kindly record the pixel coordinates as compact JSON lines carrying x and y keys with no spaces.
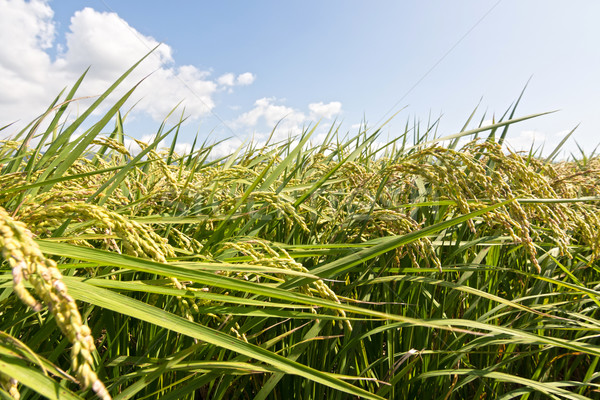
{"x":294,"y":270}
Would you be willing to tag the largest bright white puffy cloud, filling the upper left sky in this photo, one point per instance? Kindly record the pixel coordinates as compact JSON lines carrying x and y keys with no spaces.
{"x":30,"y":78}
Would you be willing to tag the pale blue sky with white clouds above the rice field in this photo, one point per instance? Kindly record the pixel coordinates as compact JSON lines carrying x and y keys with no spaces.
{"x":238,"y":68}
